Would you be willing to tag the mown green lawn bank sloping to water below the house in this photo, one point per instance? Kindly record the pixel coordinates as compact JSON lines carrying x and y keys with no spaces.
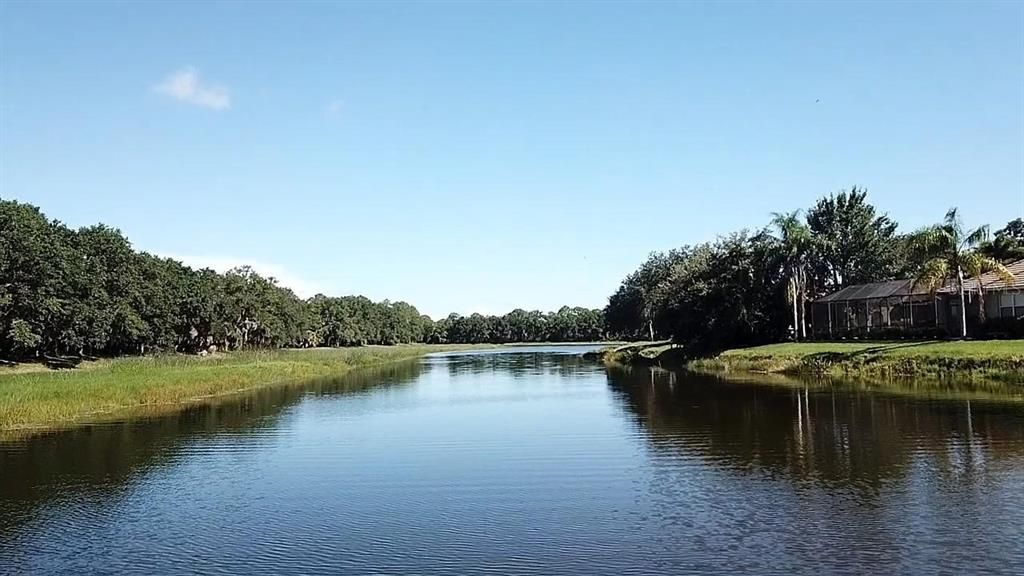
{"x":995,"y":360}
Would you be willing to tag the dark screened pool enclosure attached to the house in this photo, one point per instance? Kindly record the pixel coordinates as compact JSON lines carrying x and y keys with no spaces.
{"x":869,"y":309}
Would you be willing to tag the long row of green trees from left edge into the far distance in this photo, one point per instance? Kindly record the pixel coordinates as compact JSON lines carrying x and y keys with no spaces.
{"x":89,"y":292}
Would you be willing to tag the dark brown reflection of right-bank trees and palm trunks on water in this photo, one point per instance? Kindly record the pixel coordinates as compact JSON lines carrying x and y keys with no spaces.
{"x":832,"y":436}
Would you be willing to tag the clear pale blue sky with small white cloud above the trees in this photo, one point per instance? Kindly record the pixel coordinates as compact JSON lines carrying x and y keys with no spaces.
{"x":483,"y":157}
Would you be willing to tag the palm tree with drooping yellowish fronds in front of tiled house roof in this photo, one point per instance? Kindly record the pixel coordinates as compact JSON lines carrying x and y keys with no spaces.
{"x":955,"y":255}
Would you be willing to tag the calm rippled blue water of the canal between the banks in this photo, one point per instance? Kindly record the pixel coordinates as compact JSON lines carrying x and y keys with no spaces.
{"x":527,"y":463}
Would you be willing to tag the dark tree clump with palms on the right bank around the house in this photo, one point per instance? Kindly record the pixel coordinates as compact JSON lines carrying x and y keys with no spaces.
{"x":753,"y":287}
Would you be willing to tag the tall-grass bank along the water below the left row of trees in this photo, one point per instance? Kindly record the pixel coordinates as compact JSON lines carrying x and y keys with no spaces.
{"x":35,"y":399}
